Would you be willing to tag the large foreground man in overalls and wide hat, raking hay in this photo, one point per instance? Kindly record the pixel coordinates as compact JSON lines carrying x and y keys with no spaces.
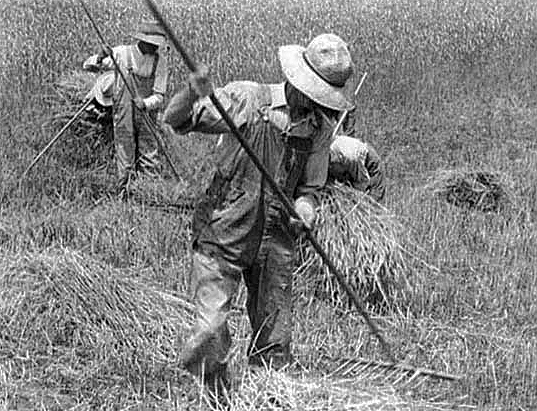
{"x":240,"y":228}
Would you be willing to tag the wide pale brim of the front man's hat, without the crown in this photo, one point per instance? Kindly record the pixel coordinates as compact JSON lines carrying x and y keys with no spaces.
{"x":302,"y":77}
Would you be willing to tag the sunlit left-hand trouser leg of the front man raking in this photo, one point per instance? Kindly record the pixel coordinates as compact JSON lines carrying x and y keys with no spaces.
{"x":216,"y":283}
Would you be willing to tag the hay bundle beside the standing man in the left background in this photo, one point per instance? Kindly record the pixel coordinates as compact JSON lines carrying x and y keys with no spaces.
{"x":90,"y":140}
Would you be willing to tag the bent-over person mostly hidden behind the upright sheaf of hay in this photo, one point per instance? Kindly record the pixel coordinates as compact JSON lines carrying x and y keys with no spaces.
{"x":357,"y":162}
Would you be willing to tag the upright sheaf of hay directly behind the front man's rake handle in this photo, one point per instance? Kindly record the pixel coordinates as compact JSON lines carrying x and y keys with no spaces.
{"x":363,"y":240}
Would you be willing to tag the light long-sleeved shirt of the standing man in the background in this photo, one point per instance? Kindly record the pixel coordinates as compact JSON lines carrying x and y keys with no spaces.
{"x":129,"y":57}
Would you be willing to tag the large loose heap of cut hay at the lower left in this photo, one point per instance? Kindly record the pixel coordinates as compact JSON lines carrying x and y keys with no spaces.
{"x":62,"y":310}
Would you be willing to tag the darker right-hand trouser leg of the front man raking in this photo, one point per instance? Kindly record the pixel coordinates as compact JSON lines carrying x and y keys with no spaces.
{"x":269,"y":285}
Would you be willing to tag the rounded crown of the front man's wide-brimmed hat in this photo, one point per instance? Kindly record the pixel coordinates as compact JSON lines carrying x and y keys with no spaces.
{"x":329,"y":57}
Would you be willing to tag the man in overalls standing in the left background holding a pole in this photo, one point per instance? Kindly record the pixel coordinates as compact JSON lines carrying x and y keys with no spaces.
{"x":145,"y":66}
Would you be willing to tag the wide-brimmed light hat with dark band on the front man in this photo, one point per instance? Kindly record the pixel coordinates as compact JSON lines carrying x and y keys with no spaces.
{"x":321,"y":70}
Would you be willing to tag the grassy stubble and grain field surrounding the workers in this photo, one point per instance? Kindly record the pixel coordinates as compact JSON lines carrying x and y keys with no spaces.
{"x":451,"y":85}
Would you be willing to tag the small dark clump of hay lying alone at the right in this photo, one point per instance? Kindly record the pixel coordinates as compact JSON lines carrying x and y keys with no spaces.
{"x":472,"y":189}
